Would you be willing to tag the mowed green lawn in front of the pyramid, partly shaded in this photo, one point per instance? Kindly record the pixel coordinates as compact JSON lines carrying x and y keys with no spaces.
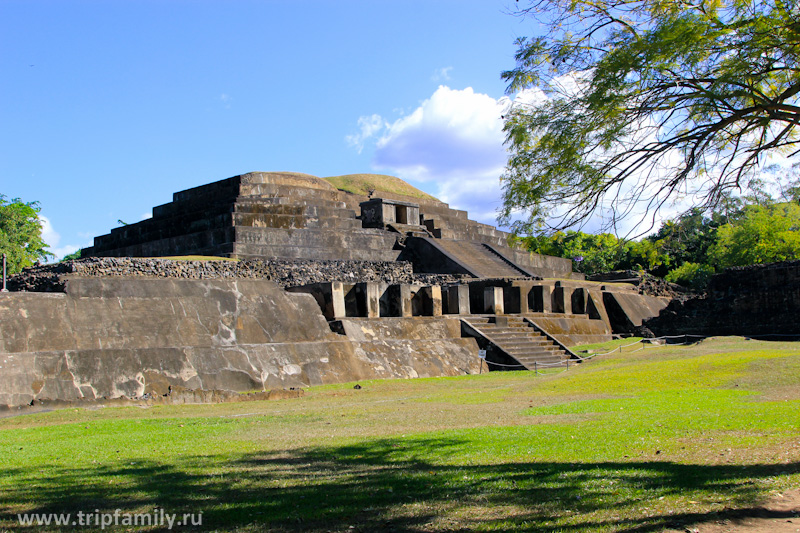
{"x":642,"y":441}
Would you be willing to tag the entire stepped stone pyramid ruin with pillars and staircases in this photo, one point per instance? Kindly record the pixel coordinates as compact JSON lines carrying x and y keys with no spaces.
{"x":327,"y":286}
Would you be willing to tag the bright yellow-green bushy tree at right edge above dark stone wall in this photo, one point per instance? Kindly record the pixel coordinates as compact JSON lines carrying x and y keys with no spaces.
{"x":764,"y":234}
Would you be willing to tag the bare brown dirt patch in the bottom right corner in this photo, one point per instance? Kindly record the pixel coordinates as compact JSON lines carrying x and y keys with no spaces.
{"x":781,"y":514}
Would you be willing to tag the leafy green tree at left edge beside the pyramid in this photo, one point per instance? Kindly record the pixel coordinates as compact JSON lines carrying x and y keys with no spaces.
{"x":21,"y":234}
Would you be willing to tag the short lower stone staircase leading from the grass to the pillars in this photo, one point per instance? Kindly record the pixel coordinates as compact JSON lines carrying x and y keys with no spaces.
{"x":520,"y":341}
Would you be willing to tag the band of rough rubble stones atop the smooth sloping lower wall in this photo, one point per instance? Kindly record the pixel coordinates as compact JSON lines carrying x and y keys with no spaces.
{"x":49,"y":278}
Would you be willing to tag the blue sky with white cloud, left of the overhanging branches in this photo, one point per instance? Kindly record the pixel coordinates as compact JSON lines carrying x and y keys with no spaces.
{"x":108,"y":107}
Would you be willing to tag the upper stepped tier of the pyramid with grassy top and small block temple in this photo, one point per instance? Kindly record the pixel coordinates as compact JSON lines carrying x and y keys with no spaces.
{"x":283,"y":215}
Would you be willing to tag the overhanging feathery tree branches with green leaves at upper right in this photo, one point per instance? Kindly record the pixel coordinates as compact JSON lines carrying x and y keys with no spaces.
{"x":647,"y":101}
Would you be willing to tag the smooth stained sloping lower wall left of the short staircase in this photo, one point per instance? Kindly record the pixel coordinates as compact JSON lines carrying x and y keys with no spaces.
{"x":132,"y":337}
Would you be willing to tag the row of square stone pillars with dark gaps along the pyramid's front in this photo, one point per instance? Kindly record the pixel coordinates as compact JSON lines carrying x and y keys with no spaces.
{"x":373,"y":300}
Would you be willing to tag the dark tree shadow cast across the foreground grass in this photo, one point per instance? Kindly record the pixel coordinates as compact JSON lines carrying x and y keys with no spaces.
{"x":388,"y":485}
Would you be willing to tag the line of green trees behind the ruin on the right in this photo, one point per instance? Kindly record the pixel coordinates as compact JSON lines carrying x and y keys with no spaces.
{"x":691,"y":248}
